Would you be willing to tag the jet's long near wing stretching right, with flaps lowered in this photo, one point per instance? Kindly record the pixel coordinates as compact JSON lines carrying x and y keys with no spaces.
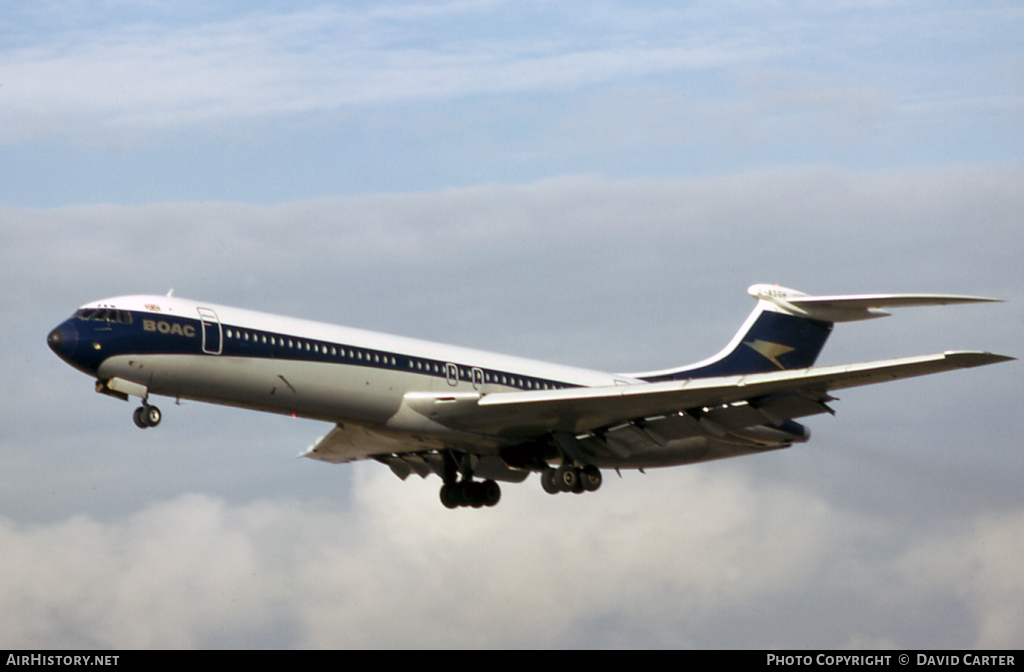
{"x":738,"y":401}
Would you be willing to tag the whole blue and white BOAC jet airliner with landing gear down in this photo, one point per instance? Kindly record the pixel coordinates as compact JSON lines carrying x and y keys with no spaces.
{"x":477,"y":418}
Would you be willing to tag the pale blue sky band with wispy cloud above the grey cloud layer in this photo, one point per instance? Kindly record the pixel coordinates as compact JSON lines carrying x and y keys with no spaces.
{"x":136,"y":103}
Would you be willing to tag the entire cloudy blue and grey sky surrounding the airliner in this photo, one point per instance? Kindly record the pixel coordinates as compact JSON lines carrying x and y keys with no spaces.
{"x":594,"y":185}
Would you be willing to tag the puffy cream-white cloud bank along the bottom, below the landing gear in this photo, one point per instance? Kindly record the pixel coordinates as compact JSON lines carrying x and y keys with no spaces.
{"x":658,"y":555}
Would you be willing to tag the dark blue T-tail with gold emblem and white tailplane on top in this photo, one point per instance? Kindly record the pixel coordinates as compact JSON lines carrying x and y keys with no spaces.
{"x":788,"y":330}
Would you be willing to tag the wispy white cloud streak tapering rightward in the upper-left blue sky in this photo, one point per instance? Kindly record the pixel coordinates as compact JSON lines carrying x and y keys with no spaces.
{"x":252,"y":66}
